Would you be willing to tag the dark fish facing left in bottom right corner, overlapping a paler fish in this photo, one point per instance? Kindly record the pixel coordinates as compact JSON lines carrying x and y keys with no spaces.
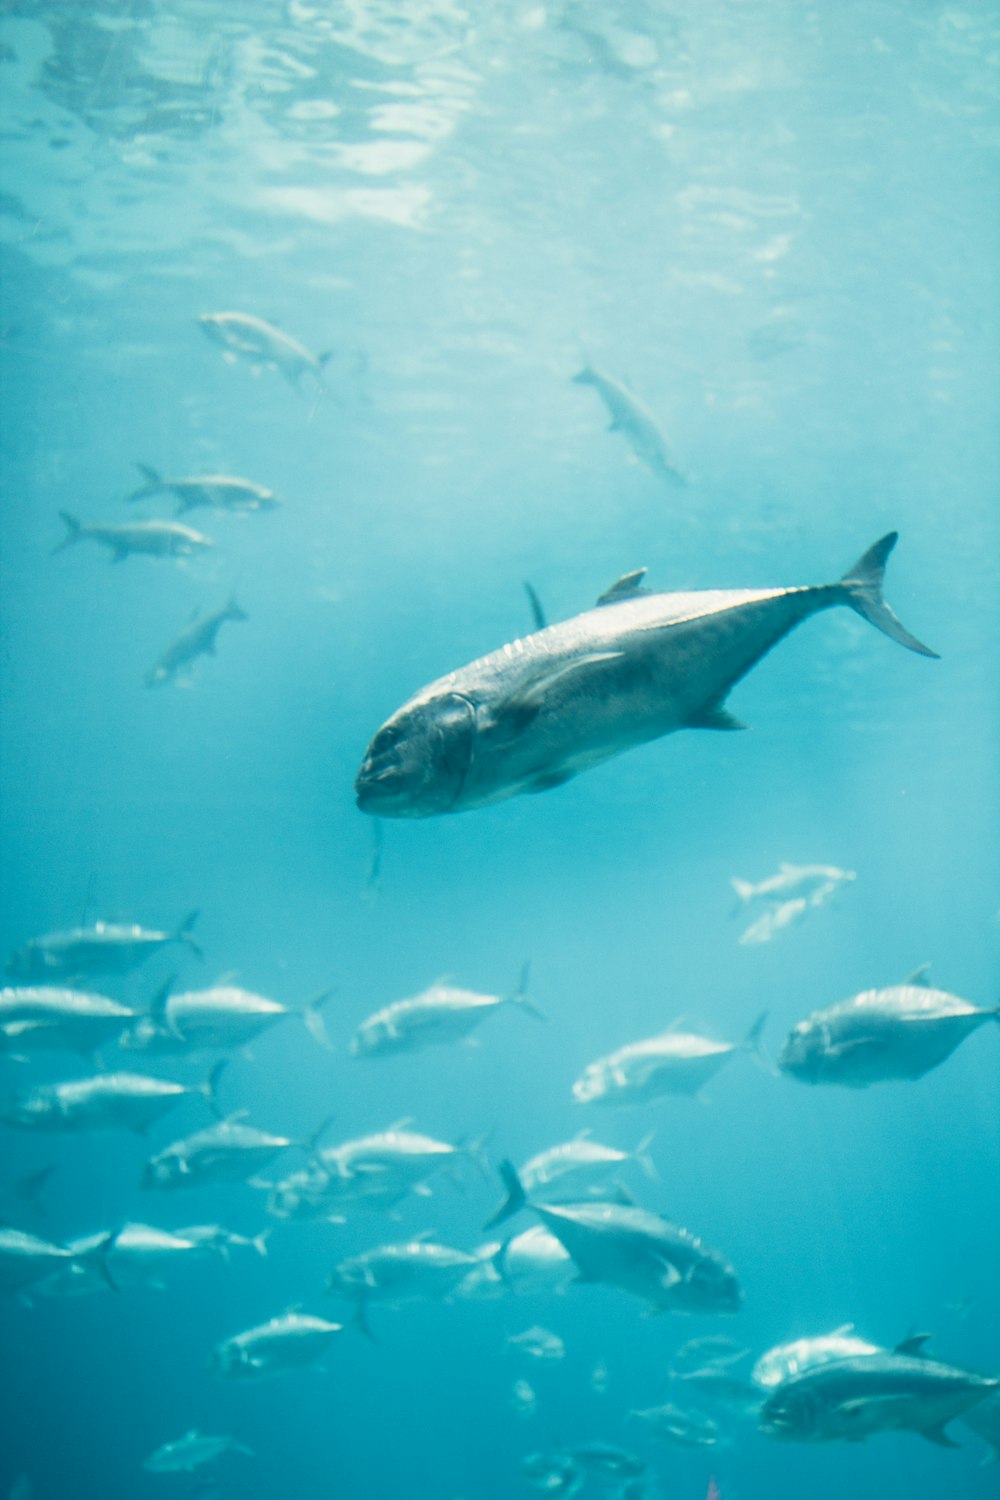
{"x":855,"y":1399}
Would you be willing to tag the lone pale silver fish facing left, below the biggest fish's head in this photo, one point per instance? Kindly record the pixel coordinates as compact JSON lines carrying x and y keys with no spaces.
{"x":437,"y":1016}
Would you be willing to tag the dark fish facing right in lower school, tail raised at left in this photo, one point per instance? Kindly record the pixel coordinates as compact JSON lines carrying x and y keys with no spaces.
{"x":635,"y":1250}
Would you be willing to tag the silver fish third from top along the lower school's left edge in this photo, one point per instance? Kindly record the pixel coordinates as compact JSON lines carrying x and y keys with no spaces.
{"x":104,"y":1102}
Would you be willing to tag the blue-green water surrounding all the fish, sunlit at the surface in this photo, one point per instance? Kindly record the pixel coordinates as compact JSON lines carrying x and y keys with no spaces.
{"x":780,"y":224}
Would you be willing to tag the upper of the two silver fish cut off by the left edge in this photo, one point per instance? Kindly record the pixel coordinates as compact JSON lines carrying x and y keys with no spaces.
{"x":47,"y":1018}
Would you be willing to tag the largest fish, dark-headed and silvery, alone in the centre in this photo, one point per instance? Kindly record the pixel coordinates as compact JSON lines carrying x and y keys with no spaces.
{"x":540,"y":710}
